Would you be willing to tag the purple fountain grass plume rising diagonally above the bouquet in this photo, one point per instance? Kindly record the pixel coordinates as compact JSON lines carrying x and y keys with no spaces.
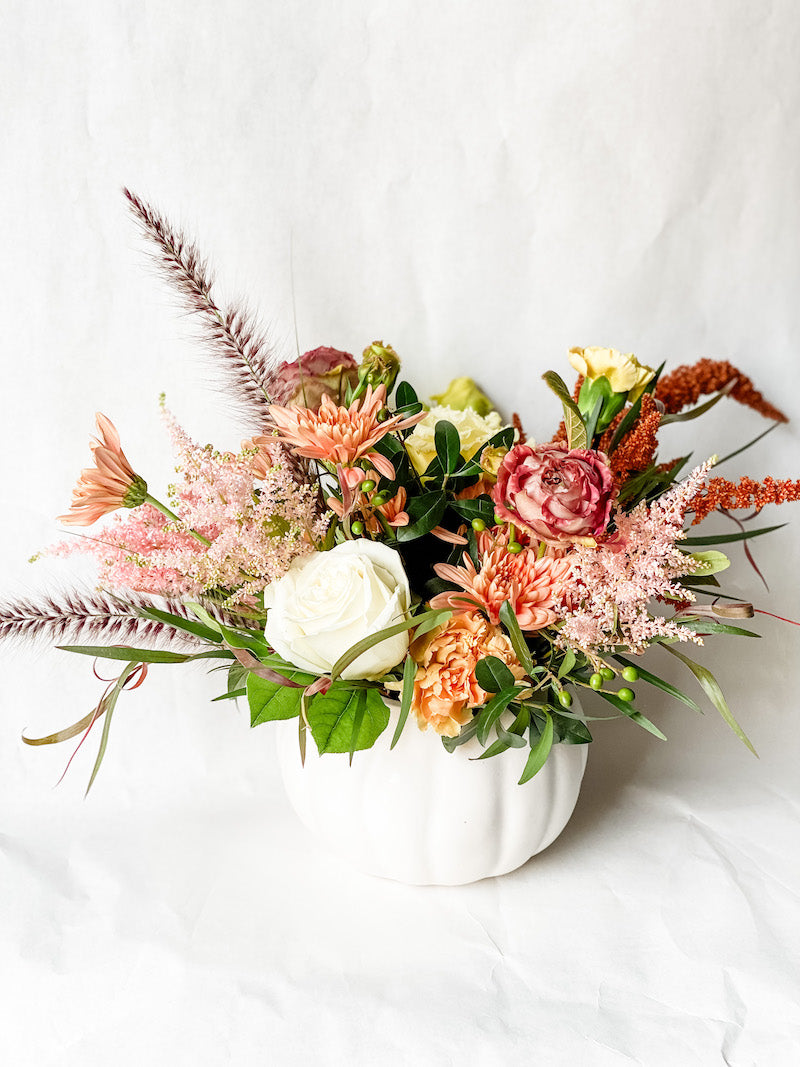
{"x":232,"y":332}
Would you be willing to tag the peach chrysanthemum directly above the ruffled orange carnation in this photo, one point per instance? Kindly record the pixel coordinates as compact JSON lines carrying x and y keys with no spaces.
{"x":533,"y":586}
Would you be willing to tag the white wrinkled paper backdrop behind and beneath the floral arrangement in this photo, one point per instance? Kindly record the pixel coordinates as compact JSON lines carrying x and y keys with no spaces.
{"x":484,"y":186}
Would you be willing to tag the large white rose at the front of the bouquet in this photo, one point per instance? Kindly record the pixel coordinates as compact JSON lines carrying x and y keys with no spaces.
{"x":329,"y":601}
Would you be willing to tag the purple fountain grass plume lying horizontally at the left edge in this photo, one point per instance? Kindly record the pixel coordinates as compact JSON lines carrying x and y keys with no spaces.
{"x":76,"y":616}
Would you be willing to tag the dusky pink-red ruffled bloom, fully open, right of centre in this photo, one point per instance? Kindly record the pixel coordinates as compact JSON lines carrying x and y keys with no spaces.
{"x":559,"y":496}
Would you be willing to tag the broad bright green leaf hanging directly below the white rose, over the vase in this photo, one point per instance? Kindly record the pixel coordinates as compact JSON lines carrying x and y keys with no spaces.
{"x":332,"y":718}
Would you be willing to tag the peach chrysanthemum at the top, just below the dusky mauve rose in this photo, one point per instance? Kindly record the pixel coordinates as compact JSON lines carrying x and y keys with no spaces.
{"x":342,"y":436}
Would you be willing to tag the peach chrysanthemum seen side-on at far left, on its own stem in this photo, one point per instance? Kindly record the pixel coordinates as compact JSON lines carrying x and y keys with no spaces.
{"x":109,"y":485}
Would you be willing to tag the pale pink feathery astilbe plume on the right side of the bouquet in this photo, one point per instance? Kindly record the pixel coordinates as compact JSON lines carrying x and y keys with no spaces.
{"x":612,"y":586}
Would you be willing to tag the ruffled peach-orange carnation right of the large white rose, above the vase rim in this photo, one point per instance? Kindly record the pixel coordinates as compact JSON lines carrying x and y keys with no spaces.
{"x":445,"y":688}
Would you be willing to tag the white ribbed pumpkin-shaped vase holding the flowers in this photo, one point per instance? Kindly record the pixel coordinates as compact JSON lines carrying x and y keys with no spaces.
{"x":422,"y":816}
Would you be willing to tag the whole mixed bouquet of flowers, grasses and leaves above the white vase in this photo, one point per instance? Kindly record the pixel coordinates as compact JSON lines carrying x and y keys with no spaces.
{"x":367,"y":551}
